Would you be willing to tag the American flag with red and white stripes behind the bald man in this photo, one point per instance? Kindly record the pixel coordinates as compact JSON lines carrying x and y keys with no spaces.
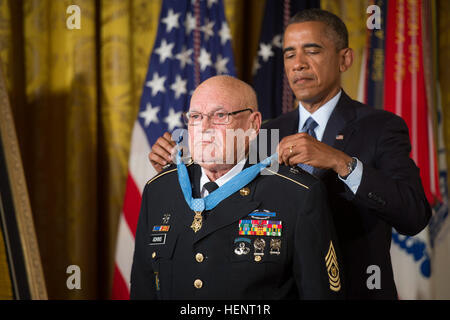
{"x":193,"y":43}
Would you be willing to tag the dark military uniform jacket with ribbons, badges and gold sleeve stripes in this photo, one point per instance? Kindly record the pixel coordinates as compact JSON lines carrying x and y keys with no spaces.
{"x":293,"y":254}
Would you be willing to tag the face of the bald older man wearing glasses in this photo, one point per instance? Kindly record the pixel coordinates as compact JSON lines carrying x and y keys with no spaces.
{"x":212,"y":145}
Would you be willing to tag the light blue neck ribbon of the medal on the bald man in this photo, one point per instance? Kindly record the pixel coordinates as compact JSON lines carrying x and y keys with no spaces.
{"x":215,"y":197}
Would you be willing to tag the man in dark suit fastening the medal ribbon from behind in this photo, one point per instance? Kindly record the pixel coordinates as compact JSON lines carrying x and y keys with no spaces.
{"x":361,"y":154}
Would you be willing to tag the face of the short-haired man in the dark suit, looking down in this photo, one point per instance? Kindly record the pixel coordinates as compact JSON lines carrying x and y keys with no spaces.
{"x":311,"y":61}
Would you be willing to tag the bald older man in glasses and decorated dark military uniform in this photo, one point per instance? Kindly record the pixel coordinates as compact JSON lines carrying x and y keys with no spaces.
{"x":264,"y":236}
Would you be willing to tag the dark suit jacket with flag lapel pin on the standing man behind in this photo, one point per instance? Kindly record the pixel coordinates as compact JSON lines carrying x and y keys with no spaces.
{"x":390,"y":194}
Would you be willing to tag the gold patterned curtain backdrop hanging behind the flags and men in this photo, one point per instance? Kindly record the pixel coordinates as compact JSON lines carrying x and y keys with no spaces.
{"x":75,"y":96}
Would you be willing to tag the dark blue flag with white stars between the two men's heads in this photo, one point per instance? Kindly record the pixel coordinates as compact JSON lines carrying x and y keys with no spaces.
{"x":271,"y":86}
